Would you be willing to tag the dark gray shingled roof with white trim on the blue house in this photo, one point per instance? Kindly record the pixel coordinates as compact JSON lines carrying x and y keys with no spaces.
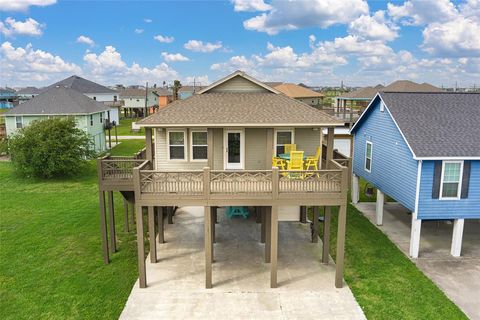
{"x":435,"y":125}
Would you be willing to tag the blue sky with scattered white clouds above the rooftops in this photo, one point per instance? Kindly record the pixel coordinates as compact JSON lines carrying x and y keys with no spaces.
{"x":319,"y":42}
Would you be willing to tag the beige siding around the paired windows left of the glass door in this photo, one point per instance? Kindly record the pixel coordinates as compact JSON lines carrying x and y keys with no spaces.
{"x":161,"y":161}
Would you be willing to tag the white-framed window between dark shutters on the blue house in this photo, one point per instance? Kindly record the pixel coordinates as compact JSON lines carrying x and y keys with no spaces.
{"x":451,"y":180}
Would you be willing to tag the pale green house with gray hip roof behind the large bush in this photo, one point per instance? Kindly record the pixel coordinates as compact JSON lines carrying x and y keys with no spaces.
{"x":61,"y":102}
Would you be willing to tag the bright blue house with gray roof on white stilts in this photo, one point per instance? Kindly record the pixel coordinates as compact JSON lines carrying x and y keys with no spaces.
{"x":423,"y":150}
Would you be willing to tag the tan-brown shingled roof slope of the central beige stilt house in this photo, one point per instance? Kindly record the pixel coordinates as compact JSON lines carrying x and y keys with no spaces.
{"x":248,"y":109}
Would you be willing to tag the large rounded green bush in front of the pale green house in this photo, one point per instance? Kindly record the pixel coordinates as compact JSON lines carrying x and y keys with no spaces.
{"x":50,"y":148}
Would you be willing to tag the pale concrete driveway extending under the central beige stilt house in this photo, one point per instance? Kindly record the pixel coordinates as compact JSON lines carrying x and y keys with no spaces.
{"x":241,"y":279}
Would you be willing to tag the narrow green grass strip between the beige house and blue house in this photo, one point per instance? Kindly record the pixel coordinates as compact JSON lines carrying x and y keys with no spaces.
{"x":387,"y":284}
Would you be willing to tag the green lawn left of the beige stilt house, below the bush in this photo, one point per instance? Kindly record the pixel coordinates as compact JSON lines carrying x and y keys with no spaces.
{"x":51,"y":264}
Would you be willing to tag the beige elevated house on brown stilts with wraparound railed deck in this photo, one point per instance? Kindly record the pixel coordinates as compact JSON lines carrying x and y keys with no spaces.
{"x":222,"y":147}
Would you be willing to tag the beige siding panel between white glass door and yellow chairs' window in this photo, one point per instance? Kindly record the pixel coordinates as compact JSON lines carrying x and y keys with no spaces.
{"x":255,"y":149}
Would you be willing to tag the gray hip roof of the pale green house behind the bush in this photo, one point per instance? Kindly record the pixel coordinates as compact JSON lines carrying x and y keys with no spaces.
{"x":58,"y":101}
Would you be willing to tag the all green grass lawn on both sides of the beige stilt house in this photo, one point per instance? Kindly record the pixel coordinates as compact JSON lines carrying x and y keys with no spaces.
{"x":51,"y":261}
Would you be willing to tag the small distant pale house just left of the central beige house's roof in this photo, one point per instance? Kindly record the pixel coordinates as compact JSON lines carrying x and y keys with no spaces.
{"x":134,"y":100}
